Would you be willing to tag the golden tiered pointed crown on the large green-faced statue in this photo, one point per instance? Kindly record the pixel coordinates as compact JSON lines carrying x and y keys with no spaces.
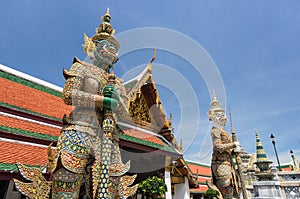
{"x":105,"y":30}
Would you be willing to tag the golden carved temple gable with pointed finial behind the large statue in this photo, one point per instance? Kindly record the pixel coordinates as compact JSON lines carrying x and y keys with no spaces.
{"x":143,"y":96}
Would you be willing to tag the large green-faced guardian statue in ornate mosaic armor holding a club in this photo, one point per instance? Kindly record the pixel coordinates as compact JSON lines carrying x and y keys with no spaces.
{"x":88,"y":147}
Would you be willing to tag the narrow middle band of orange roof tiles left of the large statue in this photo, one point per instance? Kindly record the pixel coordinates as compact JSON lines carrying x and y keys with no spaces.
{"x":28,"y":126}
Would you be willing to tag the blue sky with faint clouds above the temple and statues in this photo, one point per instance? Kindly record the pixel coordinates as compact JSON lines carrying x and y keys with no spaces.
{"x":255,"y":46}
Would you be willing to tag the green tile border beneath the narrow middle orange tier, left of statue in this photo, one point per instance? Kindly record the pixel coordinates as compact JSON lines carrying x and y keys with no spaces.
{"x":29,"y":133}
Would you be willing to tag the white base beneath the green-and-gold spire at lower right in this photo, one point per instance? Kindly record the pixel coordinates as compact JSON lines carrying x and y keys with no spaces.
{"x":267,"y":190}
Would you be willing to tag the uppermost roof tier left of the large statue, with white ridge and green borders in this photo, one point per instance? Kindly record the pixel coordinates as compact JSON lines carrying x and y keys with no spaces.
{"x":30,"y":96}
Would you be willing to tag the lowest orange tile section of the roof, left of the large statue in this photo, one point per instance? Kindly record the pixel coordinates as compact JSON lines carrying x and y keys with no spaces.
{"x":25,"y":154}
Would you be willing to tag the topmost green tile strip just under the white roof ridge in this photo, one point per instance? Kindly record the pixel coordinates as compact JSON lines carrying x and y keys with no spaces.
{"x":29,"y":83}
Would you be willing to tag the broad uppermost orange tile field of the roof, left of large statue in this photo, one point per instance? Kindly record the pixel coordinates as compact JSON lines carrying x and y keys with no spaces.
{"x":32,"y":99}
